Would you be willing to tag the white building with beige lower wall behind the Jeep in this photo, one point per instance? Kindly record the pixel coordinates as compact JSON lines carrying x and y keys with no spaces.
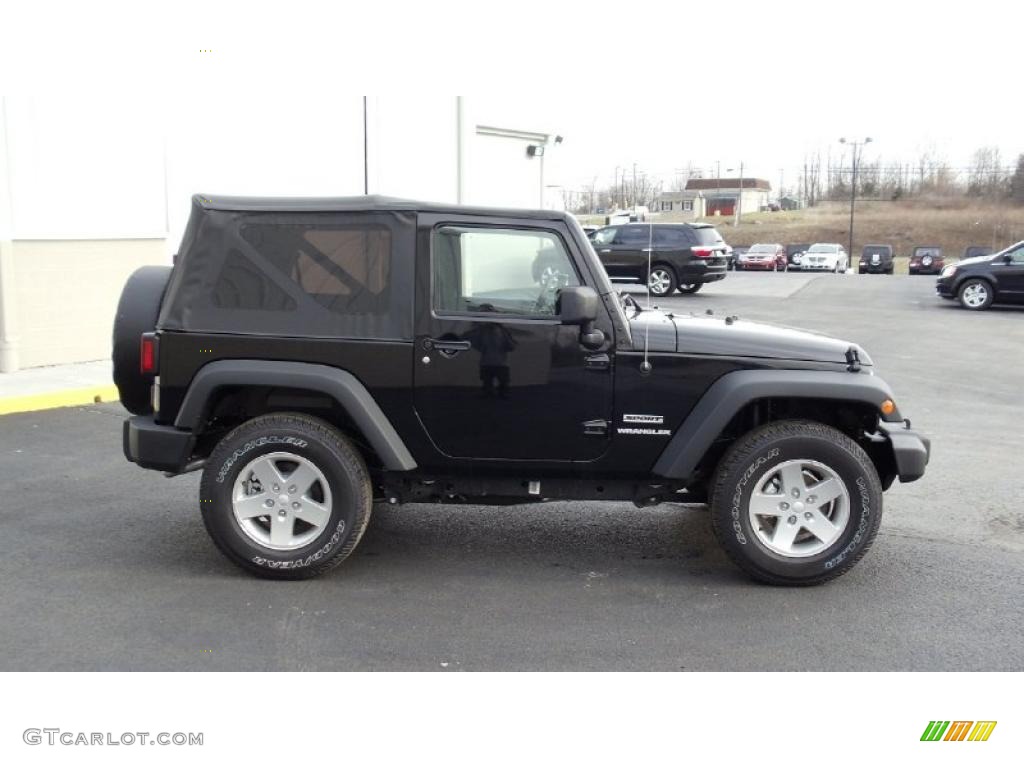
{"x":95,"y":188}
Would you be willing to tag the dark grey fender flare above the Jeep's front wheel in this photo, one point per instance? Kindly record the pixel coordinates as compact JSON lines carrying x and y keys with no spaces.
{"x":732,"y":393}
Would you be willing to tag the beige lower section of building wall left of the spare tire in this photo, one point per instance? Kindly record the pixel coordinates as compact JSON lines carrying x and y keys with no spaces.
{"x":66,"y":293}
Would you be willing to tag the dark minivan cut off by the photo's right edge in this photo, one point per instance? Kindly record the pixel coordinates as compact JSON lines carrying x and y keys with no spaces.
{"x":985,"y":281}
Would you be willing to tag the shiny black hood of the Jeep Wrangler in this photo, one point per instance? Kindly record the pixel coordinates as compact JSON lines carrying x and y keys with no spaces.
{"x":713,"y":335}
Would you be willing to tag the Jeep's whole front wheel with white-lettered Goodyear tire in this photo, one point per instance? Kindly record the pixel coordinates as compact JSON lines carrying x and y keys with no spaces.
{"x":796,"y":503}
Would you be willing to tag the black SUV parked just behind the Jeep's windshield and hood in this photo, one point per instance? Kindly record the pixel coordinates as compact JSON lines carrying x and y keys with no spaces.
{"x":682,"y":257}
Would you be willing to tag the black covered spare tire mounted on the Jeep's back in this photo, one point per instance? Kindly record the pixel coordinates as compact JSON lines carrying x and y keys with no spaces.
{"x":137,"y":315}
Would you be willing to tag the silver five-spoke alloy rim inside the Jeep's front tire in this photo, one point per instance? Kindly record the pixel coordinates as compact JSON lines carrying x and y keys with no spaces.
{"x":799,"y":508}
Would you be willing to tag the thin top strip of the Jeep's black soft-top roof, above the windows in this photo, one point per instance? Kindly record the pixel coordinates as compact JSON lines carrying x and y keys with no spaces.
{"x":367,"y":204}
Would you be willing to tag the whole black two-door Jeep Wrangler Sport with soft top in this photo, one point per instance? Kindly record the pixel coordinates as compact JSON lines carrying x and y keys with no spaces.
{"x":314,"y":357}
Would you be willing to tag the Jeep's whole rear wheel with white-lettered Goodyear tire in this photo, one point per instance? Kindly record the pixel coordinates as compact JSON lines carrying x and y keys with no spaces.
{"x":286,"y":496}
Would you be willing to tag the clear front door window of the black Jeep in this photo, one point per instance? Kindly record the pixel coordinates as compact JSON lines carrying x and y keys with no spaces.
{"x":503,"y":272}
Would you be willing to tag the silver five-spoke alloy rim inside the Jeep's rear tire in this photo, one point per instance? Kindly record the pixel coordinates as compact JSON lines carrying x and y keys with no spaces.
{"x":282,"y":501}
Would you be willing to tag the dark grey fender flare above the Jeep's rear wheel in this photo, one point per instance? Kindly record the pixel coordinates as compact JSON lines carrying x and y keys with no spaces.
{"x":339,"y":385}
